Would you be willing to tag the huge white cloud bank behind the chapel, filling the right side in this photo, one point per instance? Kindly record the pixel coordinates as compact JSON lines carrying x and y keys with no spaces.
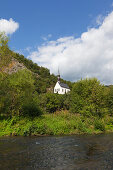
{"x":91,"y":55}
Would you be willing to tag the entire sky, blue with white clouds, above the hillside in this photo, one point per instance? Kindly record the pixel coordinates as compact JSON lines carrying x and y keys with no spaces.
{"x":75,"y":36}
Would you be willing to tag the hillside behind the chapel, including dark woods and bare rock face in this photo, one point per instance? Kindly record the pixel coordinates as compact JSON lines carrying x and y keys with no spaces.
{"x":13,"y":62}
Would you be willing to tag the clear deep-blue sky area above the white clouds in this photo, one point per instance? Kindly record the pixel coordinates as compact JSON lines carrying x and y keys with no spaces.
{"x":39,"y":18}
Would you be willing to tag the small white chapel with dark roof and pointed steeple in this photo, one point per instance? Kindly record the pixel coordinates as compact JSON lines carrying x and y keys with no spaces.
{"x":61,"y":88}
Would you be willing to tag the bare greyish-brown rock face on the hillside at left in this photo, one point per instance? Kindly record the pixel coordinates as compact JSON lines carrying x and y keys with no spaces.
{"x":13,"y":67}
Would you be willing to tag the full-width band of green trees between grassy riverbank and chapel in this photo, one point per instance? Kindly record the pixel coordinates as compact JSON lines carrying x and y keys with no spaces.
{"x":19,"y":96}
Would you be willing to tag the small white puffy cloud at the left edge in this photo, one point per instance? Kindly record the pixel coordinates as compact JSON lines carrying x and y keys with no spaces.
{"x":8,"y":26}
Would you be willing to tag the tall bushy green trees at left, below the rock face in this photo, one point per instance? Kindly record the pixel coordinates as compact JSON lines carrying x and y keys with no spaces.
{"x":17,"y":95}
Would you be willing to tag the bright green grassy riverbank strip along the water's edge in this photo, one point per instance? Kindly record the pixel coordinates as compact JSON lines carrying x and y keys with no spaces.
{"x":62,"y":123}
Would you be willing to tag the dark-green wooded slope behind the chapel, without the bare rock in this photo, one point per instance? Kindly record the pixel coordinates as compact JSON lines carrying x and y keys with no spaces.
{"x":44,"y":80}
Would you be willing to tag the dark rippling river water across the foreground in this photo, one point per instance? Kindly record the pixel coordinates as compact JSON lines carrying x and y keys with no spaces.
{"x":57,"y":153}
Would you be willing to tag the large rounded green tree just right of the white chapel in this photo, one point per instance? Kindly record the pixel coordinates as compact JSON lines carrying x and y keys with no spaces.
{"x":87,"y":98}
